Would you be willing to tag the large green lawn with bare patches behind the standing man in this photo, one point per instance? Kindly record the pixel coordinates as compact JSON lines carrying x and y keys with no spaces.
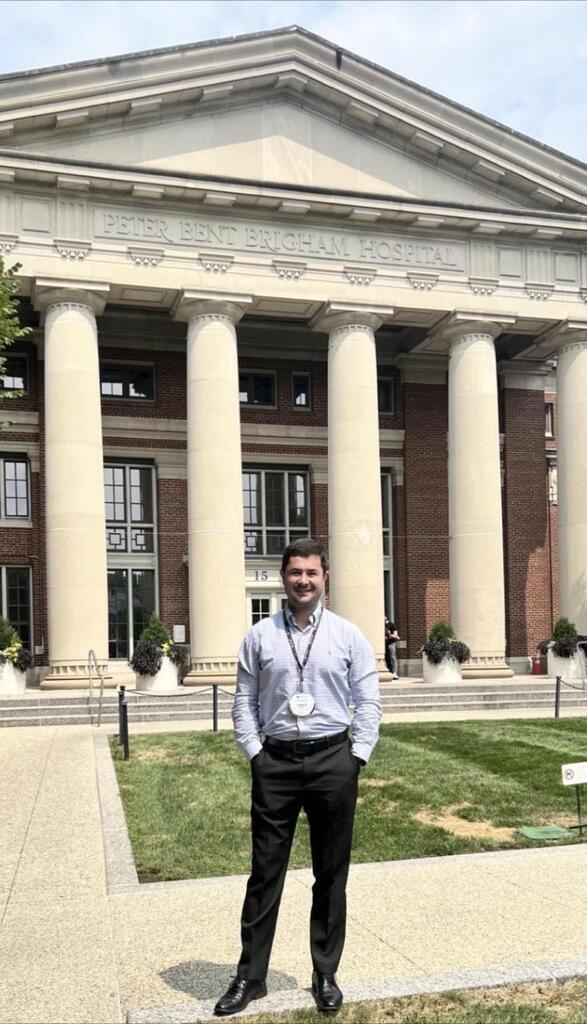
{"x":431,"y":789}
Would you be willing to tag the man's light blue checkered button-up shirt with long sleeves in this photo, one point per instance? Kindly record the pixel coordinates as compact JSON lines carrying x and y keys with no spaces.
{"x":341,"y":671}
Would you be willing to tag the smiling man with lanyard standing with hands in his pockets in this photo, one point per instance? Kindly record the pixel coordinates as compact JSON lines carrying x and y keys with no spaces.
{"x":299,"y":672}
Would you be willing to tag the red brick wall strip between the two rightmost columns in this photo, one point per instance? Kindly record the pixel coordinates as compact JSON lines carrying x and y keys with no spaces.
{"x":526,"y":528}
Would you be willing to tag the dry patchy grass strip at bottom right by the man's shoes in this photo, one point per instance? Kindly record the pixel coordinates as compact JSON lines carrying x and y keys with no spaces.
{"x":546,"y":1003}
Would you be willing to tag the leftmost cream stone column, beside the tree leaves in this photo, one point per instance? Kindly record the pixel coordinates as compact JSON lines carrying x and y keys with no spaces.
{"x":77,"y":594}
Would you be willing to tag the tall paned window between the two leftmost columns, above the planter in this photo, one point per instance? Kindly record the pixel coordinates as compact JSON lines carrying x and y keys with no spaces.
{"x":132,"y":544}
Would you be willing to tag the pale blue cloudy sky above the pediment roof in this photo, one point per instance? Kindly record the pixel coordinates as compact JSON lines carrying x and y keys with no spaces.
{"x":523,"y":63}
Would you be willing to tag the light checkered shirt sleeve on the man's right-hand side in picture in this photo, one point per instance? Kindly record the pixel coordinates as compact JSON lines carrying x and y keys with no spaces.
{"x":364,"y":681}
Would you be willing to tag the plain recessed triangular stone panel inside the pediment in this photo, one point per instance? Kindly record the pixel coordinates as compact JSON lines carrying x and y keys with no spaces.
{"x":277,"y":141}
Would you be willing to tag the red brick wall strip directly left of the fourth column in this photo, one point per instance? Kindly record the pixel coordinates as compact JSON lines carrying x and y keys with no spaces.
{"x":427,"y":515}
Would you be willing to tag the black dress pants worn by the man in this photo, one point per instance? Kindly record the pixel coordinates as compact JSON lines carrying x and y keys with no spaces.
{"x":324,"y":784}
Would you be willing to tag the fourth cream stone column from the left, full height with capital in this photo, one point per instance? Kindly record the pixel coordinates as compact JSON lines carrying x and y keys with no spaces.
{"x":476,"y":534}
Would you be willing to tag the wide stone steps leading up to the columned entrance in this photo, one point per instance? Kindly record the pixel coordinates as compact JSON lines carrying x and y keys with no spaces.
{"x":523,"y":695}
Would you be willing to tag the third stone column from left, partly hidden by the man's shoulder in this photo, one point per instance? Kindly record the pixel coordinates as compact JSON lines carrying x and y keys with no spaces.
{"x":356,"y":541}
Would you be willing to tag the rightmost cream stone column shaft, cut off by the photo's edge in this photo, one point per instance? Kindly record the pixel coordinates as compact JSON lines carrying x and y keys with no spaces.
{"x":572,"y":477}
